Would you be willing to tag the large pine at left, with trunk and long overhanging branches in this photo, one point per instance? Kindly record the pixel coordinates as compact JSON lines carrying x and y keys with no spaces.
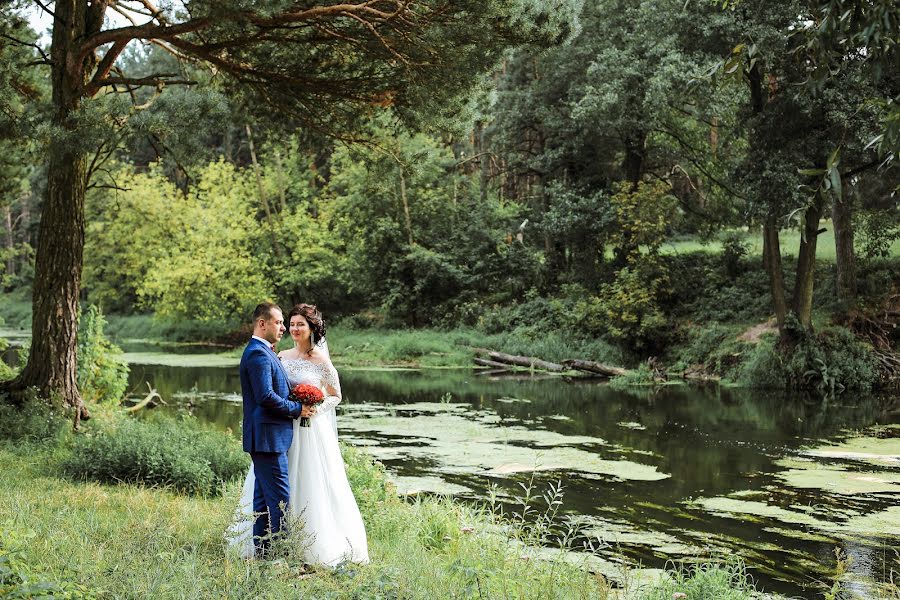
{"x":329,"y":64}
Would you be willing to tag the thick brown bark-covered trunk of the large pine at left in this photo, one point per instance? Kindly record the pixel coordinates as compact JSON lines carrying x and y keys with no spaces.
{"x":51,"y":366}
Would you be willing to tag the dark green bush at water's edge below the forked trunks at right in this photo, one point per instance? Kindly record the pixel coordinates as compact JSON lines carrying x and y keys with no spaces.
{"x":830,"y":360}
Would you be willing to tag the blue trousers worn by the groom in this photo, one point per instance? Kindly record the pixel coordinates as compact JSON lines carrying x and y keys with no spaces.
{"x":272,"y":491}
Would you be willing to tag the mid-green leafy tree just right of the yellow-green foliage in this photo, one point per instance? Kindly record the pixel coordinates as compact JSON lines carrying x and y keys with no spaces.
{"x":420,"y":238}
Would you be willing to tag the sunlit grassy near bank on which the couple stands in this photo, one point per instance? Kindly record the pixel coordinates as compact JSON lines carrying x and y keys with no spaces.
{"x":128,"y":541}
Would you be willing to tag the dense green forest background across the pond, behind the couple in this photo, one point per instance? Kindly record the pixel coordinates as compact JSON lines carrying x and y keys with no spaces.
{"x":669,"y":177}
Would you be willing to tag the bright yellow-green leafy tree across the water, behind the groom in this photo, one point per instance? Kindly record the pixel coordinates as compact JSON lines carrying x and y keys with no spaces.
{"x":184,"y":255}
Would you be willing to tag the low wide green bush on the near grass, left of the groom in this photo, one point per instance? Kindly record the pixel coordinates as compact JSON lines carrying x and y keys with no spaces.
{"x":168,"y":453}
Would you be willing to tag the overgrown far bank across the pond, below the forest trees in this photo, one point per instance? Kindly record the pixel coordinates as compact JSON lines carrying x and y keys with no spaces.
{"x":718,"y":327}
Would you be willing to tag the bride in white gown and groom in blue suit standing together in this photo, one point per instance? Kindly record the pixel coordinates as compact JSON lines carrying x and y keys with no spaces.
{"x":296,"y":469}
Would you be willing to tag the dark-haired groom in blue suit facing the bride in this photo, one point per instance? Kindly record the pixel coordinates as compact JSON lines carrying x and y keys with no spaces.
{"x":268,"y":430}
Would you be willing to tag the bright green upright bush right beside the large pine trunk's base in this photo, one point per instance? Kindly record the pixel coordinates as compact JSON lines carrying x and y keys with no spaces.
{"x":102,"y":373}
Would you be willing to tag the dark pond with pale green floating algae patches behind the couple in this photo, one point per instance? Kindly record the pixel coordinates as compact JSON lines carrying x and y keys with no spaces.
{"x":649,"y":477}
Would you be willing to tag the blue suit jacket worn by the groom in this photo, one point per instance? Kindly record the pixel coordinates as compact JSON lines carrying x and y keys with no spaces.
{"x":267,"y":412}
